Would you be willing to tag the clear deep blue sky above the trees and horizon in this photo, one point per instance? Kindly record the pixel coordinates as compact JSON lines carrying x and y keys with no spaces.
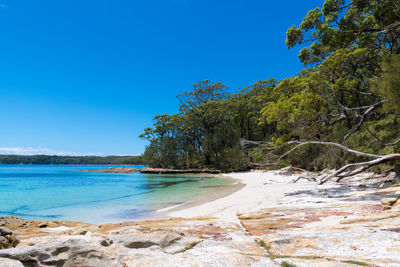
{"x":85,"y":76}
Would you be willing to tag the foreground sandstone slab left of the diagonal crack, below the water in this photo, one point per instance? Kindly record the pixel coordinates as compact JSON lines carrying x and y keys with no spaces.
{"x":187,"y":242}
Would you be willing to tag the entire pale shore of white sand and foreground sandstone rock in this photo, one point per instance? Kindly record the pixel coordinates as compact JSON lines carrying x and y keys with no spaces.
{"x":268,"y":220}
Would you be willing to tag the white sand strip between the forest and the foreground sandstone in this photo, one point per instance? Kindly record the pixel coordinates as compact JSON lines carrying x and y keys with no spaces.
{"x":269,"y":189}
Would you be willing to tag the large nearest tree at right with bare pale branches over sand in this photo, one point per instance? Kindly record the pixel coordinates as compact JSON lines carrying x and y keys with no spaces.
{"x":352,"y":48}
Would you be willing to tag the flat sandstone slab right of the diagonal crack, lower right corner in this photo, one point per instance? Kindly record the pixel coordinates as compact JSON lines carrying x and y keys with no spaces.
{"x":347,"y":231}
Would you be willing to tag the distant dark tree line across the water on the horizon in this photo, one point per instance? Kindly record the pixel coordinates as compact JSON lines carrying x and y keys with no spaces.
{"x":85,"y":160}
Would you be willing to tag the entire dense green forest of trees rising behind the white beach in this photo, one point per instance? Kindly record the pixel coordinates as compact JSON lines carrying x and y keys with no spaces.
{"x":348,"y":94}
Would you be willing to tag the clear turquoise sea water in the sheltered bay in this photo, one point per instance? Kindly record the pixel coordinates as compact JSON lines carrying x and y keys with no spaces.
{"x":60,"y":192}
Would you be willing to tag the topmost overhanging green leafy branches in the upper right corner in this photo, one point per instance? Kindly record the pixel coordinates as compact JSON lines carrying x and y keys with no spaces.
{"x":340,"y":24}
